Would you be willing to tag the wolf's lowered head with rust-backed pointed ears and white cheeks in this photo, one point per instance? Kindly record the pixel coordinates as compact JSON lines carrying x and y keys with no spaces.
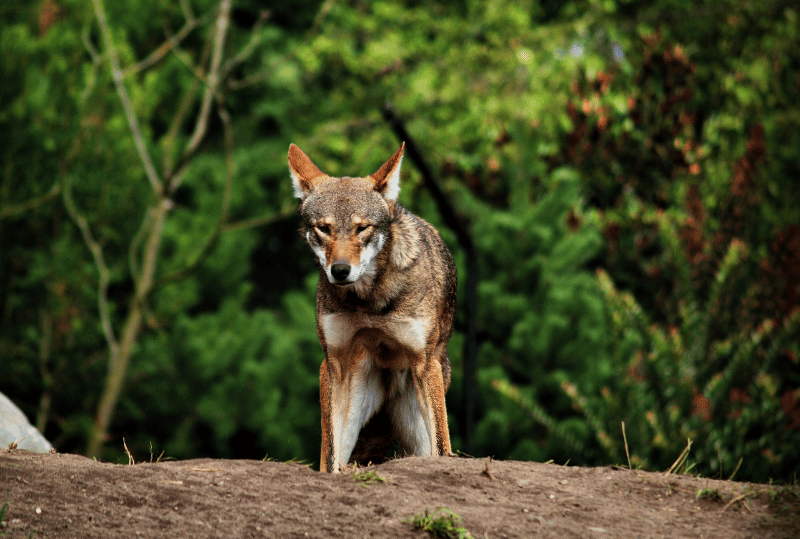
{"x":346,"y":221}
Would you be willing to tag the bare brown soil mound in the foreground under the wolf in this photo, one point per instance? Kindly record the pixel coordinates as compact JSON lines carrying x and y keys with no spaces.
{"x":61,"y":495}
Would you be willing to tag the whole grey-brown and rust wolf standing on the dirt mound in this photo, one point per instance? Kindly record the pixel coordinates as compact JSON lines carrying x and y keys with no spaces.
{"x":385,"y":304}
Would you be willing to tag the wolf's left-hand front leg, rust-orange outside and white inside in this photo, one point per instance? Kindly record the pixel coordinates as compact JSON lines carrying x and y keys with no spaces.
{"x":350,"y":394}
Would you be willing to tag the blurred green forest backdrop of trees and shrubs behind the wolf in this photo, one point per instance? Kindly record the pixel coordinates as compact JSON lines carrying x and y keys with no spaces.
{"x":628,"y":171}
